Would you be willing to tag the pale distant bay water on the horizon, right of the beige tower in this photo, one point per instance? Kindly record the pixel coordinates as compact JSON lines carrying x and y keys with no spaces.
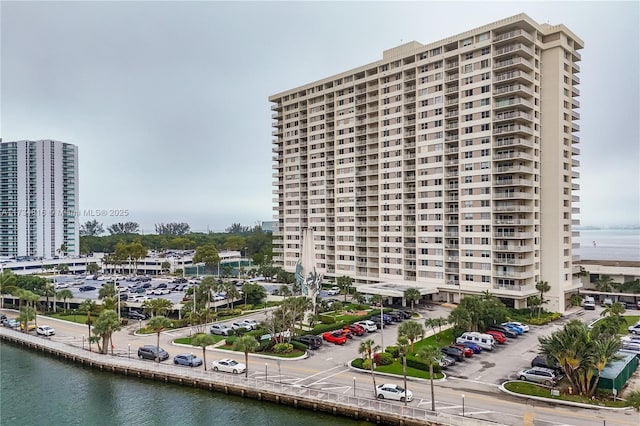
{"x":610,"y":244}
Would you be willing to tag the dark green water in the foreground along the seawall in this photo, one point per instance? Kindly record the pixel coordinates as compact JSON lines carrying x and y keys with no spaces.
{"x":40,"y":390}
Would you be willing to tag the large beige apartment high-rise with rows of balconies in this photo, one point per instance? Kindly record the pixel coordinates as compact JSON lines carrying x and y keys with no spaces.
{"x":448,"y":166}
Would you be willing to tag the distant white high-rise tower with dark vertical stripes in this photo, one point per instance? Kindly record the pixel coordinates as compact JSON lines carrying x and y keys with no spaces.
{"x":38,"y":199}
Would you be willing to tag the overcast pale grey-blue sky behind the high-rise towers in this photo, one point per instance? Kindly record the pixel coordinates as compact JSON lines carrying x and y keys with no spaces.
{"x":168,"y":101}
